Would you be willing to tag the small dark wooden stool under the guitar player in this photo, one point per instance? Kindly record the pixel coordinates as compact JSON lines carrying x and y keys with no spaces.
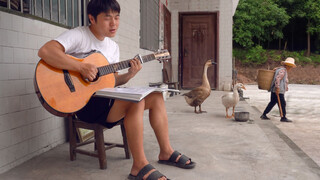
{"x":100,"y":146}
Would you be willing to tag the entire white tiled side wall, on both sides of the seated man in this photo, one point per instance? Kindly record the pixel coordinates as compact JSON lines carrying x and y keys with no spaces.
{"x":26,"y":128}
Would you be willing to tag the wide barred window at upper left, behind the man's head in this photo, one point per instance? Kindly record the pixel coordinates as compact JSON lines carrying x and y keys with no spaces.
{"x":65,"y":12}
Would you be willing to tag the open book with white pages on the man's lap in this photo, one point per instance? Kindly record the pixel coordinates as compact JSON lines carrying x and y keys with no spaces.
{"x":135,"y":94}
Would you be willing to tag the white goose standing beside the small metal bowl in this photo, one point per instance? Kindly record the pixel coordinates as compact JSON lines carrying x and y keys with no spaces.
{"x":231,"y":99}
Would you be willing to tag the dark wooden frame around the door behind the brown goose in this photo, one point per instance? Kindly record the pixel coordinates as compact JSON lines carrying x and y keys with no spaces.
{"x":181,"y":15}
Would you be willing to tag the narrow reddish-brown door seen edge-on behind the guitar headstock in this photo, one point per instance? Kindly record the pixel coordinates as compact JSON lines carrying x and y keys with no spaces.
{"x":167,"y":65}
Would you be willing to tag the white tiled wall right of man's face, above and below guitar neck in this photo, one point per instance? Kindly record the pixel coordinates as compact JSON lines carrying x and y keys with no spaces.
{"x":128,"y":39}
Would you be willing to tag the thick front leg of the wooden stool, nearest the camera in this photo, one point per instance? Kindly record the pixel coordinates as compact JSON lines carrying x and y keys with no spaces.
{"x":100,"y":147}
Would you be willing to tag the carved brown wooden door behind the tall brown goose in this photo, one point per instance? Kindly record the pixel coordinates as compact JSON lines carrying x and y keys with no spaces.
{"x":198,"y":43}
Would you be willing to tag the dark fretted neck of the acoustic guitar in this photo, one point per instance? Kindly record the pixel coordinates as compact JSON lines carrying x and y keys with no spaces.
{"x":112,"y":68}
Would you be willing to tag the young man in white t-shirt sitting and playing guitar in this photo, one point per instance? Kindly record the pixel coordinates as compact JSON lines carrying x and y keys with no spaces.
{"x":104,"y":16}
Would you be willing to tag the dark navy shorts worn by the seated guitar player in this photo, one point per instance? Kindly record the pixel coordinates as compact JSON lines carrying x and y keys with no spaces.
{"x":96,"y":111}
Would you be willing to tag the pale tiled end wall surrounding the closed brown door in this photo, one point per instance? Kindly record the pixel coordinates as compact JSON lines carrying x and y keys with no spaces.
{"x":224,"y":7}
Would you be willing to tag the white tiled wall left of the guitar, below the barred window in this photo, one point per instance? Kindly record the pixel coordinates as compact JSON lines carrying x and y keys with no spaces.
{"x":26,"y":129}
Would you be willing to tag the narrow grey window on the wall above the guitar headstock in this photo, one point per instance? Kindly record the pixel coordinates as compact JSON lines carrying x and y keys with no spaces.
{"x":149,"y":24}
